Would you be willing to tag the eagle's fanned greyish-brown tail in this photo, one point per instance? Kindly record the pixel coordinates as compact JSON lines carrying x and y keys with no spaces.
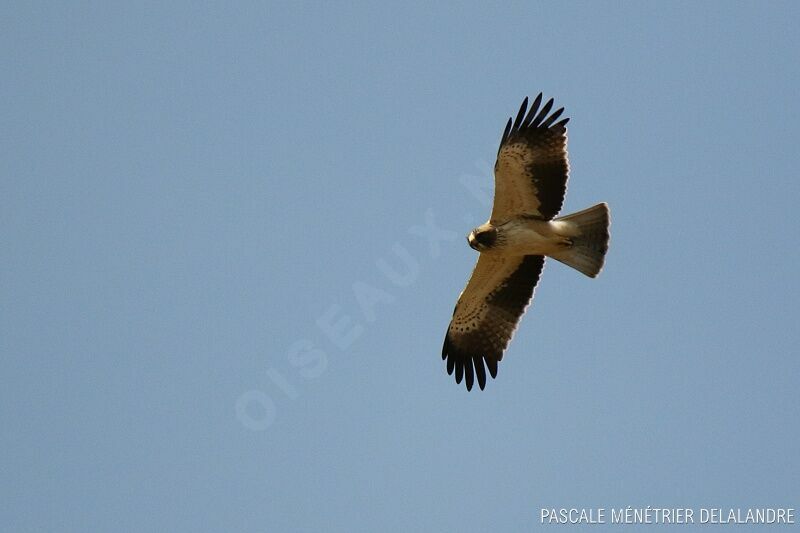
{"x":588,"y":250}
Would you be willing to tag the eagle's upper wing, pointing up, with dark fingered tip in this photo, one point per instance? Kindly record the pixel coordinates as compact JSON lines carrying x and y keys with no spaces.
{"x":530,"y":174}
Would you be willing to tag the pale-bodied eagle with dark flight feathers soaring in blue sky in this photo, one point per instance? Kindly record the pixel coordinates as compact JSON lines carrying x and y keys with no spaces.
{"x":530,"y":178}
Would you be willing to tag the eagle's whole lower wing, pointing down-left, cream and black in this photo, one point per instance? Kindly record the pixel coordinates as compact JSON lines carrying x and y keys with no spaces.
{"x":487,"y":313}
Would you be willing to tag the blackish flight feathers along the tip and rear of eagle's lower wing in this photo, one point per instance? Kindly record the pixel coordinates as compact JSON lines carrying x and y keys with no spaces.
{"x":470,"y":354}
